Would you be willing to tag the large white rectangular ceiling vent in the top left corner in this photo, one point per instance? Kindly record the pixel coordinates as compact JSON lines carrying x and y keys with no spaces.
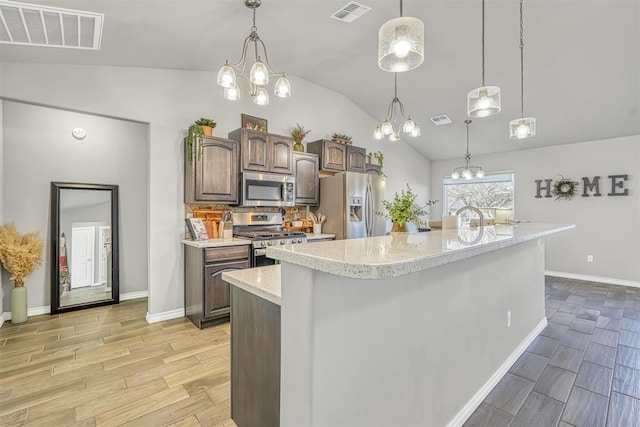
{"x":34,"y":25}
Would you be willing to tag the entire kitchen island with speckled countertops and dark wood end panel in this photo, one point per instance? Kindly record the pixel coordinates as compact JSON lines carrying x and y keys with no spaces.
{"x":407,"y":329}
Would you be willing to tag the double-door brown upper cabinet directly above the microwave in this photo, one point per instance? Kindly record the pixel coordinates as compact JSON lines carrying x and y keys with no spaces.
{"x":263,"y":152}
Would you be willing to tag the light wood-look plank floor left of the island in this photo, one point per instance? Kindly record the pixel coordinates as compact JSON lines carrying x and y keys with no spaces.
{"x":107,"y":366}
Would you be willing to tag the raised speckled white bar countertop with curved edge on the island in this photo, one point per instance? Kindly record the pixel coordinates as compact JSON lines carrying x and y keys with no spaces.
{"x":399,"y":254}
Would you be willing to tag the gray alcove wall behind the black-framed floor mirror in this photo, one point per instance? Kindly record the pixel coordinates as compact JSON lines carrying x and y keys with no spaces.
{"x":39,"y":148}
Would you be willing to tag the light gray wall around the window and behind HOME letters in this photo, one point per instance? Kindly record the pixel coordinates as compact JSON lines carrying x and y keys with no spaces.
{"x":606,"y":227}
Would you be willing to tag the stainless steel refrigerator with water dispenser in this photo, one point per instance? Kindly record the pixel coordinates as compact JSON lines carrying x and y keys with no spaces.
{"x":350,"y":201}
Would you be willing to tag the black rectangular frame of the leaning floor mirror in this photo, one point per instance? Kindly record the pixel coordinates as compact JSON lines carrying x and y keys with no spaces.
{"x":54,"y":227}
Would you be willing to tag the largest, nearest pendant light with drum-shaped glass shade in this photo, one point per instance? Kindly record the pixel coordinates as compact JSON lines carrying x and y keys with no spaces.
{"x":401,"y":44}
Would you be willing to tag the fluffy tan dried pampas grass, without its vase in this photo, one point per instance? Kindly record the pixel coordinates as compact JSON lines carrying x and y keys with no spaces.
{"x":20,"y":253}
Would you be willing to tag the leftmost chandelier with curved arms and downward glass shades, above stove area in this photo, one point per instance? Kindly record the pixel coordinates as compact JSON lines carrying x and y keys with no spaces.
{"x":259,"y":73}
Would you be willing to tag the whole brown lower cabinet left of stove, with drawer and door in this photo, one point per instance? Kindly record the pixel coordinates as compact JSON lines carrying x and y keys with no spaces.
{"x":206,"y":294}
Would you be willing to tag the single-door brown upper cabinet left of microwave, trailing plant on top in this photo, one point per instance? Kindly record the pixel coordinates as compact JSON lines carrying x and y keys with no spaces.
{"x":213,"y":175}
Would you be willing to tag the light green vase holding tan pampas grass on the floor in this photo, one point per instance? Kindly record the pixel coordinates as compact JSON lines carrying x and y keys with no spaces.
{"x":20,"y":254}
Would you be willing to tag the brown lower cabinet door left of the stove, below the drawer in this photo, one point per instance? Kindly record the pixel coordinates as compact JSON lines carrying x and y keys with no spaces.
{"x":216,"y":290}
